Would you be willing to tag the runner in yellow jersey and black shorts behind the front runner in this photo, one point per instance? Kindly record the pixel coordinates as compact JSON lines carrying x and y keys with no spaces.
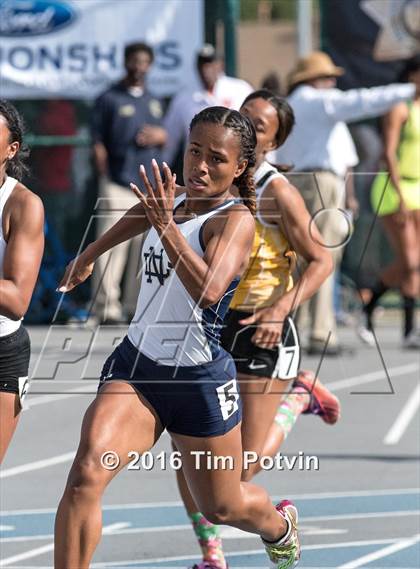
{"x":260,"y":332}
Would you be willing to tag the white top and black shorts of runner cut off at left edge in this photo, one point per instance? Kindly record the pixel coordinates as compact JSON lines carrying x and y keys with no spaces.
{"x":14,"y":339}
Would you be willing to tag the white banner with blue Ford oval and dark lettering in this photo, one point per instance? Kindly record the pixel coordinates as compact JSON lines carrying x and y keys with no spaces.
{"x":74,"y":48}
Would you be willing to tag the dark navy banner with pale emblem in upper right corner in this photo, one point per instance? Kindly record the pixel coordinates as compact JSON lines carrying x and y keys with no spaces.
{"x":370,"y":38}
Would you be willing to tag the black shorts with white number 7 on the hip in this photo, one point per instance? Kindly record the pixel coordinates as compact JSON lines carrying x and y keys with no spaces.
{"x":282,"y":362}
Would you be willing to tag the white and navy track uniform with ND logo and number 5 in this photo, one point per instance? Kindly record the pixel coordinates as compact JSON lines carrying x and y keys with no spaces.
{"x":172,"y":354}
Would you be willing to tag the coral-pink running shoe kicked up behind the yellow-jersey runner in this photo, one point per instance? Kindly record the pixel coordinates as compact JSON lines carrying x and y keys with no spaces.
{"x":322,"y":402}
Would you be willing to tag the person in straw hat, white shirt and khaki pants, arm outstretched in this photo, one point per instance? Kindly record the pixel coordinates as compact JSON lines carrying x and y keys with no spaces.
{"x":315,"y":149}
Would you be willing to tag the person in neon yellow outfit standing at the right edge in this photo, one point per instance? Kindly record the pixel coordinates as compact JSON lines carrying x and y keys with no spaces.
{"x":396,"y":200}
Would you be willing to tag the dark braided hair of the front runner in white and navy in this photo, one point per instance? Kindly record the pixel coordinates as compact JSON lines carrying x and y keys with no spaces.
{"x":244,"y":130}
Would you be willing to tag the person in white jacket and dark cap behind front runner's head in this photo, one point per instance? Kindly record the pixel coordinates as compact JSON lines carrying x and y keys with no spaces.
{"x":214,"y":88}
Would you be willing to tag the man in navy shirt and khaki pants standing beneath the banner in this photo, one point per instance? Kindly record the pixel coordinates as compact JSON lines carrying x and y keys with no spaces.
{"x":126,"y":132}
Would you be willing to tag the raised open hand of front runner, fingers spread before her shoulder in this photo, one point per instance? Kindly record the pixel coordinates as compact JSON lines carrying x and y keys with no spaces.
{"x":158,"y":202}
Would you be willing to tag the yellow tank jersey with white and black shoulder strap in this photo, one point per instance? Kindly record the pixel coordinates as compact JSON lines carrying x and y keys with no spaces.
{"x":268,"y":275}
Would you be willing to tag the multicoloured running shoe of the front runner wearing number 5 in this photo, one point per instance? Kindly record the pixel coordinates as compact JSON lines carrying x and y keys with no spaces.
{"x":286,"y":553}
